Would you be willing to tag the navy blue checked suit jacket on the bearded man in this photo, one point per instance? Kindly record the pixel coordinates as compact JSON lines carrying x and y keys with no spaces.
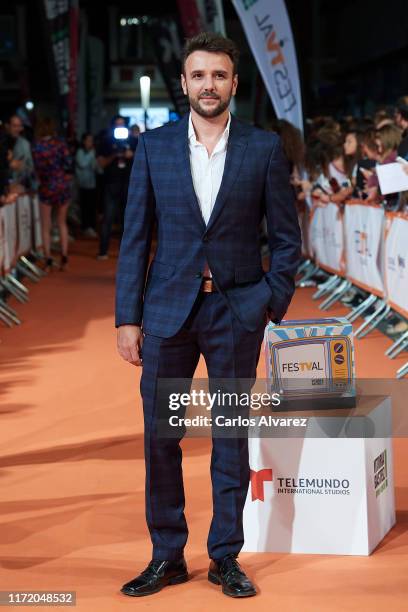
{"x":255,"y":182}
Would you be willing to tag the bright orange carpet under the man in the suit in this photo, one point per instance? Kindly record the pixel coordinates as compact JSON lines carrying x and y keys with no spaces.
{"x":72,"y":471}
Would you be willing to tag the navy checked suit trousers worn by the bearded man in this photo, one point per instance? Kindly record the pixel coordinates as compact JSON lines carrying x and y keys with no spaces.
{"x":230,"y":352}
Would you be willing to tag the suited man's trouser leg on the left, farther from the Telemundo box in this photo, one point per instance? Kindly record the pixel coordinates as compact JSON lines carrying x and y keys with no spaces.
{"x":165,"y":358}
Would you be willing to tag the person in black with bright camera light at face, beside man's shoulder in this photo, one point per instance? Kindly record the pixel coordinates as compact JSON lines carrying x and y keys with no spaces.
{"x":115,"y":158}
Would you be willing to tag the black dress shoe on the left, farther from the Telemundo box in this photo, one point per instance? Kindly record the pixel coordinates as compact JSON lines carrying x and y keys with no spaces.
{"x":157,"y":575}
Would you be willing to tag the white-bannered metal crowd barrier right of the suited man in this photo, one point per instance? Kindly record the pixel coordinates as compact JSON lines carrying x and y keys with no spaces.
{"x":358,"y":246}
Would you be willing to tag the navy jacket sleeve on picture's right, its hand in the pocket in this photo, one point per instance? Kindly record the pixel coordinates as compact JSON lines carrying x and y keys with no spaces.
{"x":283,"y":233}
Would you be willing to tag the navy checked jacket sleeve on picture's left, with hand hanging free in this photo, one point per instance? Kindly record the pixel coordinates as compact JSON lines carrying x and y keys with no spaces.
{"x":136,"y":242}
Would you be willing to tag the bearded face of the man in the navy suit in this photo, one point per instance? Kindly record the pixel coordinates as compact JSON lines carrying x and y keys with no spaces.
{"x":209,"y":82}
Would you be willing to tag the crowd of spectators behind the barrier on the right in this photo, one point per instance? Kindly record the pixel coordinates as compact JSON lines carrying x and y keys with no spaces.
{"x":338,"y":159}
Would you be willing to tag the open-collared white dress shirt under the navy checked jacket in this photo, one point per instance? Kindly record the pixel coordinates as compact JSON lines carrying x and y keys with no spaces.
{"x":207,"y":171}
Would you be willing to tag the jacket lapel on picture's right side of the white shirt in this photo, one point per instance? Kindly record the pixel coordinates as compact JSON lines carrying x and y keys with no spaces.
{"x":237,"y":144}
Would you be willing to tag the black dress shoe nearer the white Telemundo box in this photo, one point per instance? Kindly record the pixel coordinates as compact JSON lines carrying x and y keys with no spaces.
{"x":229,"y":574}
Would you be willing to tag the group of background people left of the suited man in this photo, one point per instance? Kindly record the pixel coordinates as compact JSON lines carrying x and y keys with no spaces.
{"x":92,"y":174}
